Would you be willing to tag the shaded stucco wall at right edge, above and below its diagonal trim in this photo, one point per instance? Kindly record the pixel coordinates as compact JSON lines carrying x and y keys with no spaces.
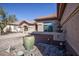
{"x":71,"y":27}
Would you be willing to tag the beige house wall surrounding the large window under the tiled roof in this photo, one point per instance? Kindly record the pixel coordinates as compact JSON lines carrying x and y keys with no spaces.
{"x":41,"y":25}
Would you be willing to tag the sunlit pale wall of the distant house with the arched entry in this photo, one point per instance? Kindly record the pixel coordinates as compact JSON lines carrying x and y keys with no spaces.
{"x":20,"y":28}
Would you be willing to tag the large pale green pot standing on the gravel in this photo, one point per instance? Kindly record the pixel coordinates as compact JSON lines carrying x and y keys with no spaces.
{"x":28,"y":42}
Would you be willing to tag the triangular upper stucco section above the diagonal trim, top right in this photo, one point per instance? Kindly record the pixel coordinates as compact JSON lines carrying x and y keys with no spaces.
{"x":69,"y":9}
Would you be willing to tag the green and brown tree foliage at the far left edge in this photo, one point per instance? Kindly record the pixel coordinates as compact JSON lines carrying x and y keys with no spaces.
{"x":5,"y":20}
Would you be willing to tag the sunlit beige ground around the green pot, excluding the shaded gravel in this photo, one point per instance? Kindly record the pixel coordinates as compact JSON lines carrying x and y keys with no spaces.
{"x":15,"y":41}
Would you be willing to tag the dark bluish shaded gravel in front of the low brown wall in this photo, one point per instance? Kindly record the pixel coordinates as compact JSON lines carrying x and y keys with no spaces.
{"x":50,"y":50}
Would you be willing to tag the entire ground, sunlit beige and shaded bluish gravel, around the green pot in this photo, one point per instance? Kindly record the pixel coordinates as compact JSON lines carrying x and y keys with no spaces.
{"x":15,"y":41}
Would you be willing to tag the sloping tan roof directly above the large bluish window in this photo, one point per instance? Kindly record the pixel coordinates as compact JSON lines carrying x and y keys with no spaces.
{"x":49,"y":17}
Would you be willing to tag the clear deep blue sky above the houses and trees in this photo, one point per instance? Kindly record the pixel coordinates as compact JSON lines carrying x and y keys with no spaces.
{"x":29,"y":11}
